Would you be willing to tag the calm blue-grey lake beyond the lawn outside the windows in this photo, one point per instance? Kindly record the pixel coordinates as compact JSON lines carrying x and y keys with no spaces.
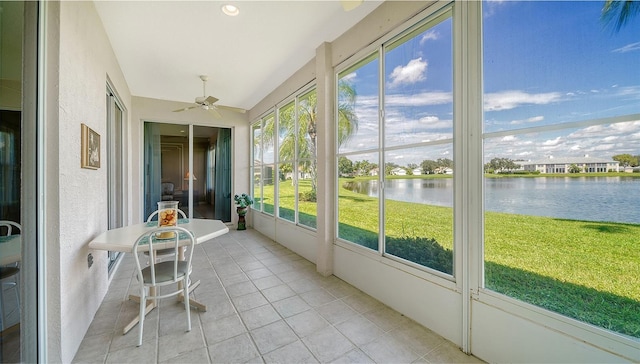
{"x":615,"y":199}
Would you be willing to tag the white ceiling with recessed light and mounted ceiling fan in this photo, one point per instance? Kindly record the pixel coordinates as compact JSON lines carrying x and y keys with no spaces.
{"x":163,"y":46}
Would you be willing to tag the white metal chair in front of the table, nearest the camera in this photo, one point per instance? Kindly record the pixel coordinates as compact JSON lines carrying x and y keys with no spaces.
{"x":166,"y":273}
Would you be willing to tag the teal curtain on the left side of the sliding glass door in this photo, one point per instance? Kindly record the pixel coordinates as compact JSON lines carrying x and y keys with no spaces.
{"x":152,"y":167}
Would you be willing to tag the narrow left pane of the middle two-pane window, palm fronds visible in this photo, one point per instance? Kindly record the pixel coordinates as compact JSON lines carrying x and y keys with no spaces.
{"x":358,"y":153}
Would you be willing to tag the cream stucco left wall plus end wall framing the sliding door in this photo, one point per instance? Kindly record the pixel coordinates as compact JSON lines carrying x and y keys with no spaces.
{"x":80,"y":61}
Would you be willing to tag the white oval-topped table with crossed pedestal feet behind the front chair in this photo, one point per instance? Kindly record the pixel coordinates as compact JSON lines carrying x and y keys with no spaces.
{"x":122,"y":240}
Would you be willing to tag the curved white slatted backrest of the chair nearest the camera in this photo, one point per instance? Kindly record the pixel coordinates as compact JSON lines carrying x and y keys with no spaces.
{"x":150,"y":242}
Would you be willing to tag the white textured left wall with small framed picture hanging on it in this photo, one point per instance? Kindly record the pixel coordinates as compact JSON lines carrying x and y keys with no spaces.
{"x":76,"y":198}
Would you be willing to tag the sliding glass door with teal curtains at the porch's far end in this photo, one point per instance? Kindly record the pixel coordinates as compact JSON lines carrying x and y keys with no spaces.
{"x":189,"y":164}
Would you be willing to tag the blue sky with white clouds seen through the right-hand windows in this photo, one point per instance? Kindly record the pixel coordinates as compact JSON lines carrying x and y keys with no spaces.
{"x":544,"y":63}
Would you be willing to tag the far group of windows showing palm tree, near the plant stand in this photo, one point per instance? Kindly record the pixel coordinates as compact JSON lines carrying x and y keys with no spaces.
{"x":296,"y":167}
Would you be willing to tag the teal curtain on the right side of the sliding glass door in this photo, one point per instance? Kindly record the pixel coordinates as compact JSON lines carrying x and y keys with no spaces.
{"x":222,"y":188}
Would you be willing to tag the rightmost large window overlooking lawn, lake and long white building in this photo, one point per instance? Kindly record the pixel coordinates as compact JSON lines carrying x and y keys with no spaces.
{"x":561,"y":152}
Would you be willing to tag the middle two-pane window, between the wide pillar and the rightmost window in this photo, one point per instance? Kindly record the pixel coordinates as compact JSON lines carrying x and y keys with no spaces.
{"x":400,"y":166}
